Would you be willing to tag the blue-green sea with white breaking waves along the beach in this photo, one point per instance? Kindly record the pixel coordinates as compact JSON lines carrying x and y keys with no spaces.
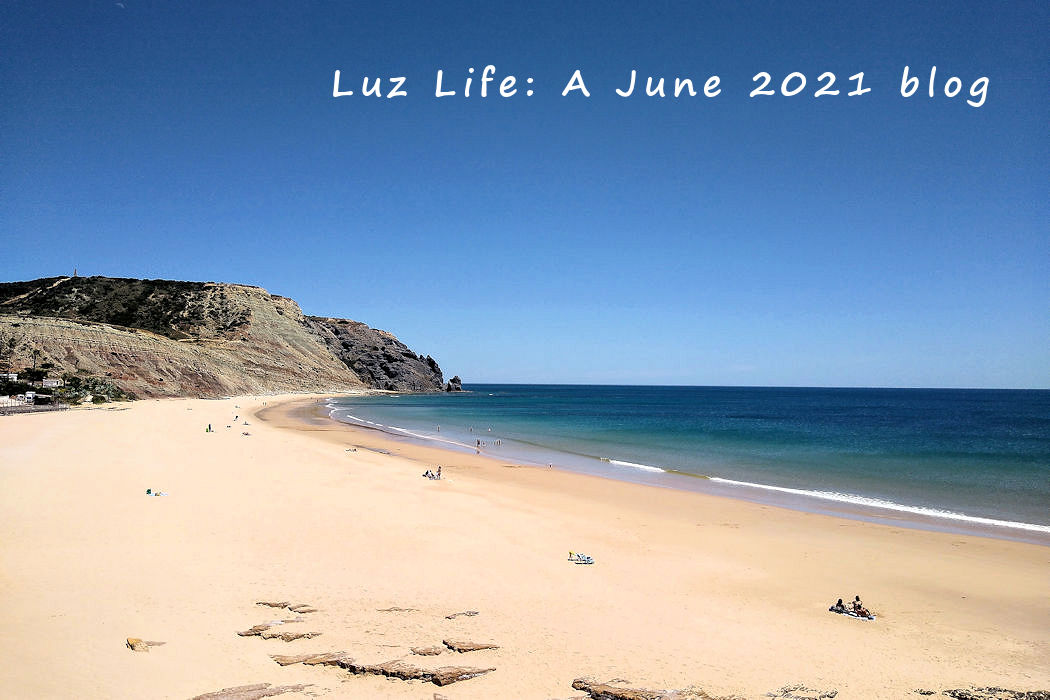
{"x":954,"y":459}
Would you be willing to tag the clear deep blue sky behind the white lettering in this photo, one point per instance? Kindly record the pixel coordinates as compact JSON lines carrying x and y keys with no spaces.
{"x":835,"y":242}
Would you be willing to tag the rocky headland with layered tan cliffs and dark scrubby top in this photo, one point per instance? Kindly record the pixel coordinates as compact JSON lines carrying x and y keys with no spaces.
{"x":165,"y":338}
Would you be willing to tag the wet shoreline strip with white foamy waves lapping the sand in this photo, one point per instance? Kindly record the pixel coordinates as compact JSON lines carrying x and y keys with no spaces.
{"x":796,"y":500}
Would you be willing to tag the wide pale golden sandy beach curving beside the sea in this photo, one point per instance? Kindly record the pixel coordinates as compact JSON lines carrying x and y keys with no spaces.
{"x":687,"y":589}
